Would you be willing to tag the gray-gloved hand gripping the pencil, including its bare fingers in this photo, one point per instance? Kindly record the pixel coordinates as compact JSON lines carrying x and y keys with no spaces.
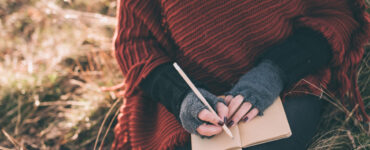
{"x":197,"y":119}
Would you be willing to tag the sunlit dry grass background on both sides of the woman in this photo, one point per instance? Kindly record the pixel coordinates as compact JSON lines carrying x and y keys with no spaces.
{"x":55,"y":55}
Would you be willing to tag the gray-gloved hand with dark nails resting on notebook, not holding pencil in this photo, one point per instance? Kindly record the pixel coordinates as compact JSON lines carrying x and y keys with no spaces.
{"x":254,"y":92}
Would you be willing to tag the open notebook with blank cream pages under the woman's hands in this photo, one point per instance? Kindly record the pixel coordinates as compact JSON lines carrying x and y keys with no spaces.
{"x":273,"y":125}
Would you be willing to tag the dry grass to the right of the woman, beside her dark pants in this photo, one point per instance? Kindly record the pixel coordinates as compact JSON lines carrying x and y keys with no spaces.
{"x":340,"y":131}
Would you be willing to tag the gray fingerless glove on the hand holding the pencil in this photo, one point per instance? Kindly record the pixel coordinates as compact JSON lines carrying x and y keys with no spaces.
{"x":190,"y":108}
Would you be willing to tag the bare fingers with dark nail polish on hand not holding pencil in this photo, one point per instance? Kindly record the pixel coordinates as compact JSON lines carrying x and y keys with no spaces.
{"x":244,"y":113}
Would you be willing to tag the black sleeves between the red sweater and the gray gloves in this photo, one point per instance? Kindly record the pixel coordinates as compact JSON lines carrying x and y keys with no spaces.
{"x":303,"y":53}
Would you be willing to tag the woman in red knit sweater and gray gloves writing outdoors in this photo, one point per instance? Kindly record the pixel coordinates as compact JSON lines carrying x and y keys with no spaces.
{"x":251,"y":51}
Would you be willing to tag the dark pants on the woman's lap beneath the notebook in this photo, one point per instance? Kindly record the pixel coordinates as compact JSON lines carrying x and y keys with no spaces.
{"x":303,"y":113}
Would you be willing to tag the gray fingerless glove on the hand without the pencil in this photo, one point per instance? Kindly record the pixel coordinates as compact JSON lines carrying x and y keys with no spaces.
{"x":260,"y":86}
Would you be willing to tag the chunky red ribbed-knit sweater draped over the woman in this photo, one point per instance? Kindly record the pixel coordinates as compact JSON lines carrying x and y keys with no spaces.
{"x":216,"y":42}
